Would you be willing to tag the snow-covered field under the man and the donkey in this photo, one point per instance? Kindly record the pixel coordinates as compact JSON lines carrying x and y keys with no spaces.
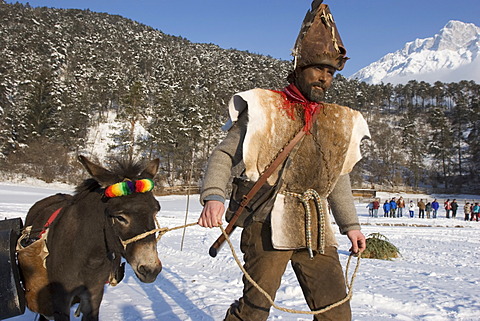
{"x":437,"y":278}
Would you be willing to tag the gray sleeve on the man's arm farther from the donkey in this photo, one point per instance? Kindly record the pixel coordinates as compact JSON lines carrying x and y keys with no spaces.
{"x":342,"y":205}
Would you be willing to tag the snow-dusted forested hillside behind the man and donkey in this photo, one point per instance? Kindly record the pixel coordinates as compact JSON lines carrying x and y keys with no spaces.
{"x":63,"y":71}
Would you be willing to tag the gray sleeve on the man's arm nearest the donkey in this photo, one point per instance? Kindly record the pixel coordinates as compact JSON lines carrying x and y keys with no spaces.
{"x":220,"y":163}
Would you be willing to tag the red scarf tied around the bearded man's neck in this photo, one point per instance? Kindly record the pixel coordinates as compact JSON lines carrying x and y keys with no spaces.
{"x":293,"y":97}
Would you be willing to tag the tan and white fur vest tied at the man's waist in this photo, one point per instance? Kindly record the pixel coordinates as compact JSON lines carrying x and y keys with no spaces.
{"x":331,"y":149}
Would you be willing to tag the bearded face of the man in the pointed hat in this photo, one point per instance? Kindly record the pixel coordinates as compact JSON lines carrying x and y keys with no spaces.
{"x":313,"y":81}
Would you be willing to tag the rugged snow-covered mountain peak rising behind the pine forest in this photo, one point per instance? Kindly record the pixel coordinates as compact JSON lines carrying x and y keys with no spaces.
{"x":451,"y":55}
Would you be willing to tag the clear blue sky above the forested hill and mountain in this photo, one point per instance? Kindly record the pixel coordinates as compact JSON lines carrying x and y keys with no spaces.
{"x":369,"y":28}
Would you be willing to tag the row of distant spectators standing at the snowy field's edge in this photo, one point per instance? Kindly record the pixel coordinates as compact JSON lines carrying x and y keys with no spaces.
{"x":396,"y":208}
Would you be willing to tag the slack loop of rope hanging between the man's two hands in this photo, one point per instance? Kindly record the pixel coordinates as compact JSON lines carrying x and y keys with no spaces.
{"x":269,"y":298}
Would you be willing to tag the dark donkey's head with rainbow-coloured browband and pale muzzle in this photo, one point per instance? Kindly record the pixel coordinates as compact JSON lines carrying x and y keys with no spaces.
{"x":131,"y":207}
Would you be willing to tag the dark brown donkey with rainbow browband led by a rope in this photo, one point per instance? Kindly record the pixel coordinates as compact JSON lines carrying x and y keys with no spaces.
{"x":77,"y":241}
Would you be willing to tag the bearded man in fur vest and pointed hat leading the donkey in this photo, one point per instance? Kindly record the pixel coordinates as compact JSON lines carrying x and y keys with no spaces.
{"x":264,"y":121}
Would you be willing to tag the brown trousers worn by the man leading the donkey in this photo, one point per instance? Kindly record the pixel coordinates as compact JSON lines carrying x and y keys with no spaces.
{"x":321,"y":279}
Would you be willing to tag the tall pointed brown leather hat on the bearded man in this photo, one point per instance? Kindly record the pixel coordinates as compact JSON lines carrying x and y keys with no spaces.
{"x":319,"y":41}
